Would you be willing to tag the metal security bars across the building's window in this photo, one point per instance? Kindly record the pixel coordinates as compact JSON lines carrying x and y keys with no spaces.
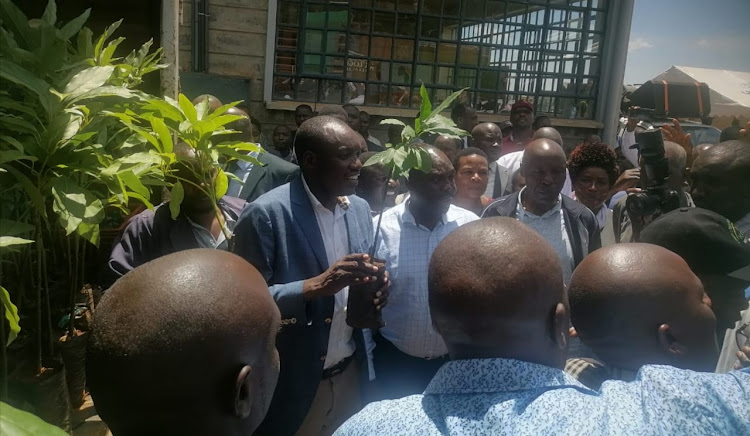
{"x":378,"y":52}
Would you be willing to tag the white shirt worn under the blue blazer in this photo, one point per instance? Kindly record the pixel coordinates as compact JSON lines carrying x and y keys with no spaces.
{"x":335,"y":236}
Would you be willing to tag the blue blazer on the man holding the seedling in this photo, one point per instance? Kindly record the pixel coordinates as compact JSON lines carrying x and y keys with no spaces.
{"x":279,"y":234}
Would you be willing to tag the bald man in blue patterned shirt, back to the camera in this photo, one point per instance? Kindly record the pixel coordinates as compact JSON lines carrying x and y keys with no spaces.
{"x":506,"y":333}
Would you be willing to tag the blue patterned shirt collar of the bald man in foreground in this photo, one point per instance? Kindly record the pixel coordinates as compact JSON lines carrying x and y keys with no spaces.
{"x":497,"y":375}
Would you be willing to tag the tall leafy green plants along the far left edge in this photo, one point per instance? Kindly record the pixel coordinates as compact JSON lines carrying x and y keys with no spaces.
{"x":59,"y":147}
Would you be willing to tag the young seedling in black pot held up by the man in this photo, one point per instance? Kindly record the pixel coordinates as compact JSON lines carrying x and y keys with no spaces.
{"x":399,"y":159}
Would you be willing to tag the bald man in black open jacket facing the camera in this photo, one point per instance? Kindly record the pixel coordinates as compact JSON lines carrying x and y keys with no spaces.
{"x":541,"y":206}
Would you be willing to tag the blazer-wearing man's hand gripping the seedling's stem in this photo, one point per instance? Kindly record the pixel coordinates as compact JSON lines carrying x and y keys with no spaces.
{"x":347,"y":271}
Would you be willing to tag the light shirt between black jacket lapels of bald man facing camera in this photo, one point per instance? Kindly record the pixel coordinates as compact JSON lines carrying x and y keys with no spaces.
{"x":551,"y":226}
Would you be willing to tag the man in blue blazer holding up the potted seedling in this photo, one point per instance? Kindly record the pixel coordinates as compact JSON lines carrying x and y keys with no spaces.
{"x":308,"y":238}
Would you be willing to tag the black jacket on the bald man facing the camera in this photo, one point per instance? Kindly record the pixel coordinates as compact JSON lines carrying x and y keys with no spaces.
{"x":580,"y":222}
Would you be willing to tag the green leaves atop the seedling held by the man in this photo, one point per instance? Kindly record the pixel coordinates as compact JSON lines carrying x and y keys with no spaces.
{"x":406,"y":155}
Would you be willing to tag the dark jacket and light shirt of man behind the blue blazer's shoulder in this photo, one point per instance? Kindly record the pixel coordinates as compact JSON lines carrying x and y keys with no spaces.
{"x":259,"y":179}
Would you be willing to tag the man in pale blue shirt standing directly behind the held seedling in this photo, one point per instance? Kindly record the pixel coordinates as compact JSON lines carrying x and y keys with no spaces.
{"x":408,"y":350}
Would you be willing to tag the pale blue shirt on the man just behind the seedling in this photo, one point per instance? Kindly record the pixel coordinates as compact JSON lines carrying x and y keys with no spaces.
{"x":407,"y":247}
